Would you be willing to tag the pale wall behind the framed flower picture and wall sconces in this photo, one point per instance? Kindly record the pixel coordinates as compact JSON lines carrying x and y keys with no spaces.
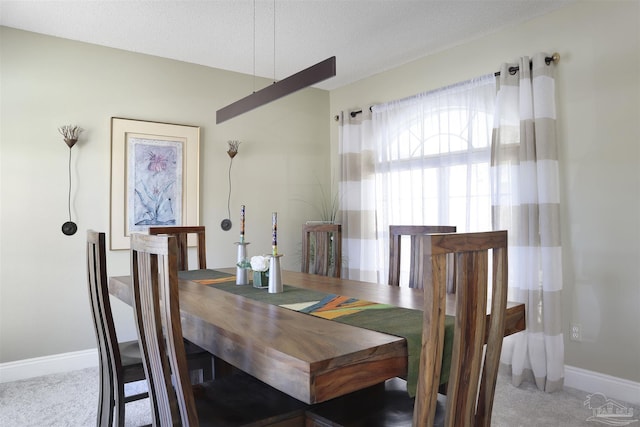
{"x":47,"y":82}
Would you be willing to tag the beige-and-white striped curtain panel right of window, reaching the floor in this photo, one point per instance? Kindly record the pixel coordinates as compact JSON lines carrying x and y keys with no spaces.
{"x":526,"y":202}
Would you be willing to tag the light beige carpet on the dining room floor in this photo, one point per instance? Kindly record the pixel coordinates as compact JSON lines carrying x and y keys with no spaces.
{"x":70,"y":400}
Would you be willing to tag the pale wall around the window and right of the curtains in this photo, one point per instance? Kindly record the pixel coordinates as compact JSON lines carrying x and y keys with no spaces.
{"x":598,"y":85}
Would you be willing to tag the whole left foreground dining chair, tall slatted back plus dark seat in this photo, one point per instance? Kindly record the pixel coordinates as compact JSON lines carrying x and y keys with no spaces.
{"x":235,"y":400}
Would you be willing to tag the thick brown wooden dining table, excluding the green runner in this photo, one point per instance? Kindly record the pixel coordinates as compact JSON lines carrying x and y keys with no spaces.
{"x":310,"y":358}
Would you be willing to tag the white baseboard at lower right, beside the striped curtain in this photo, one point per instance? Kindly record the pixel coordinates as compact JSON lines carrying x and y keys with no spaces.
{"x":594,"y":382}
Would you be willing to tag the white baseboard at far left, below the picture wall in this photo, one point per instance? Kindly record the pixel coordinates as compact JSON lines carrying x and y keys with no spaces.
{"x":46,"y":365}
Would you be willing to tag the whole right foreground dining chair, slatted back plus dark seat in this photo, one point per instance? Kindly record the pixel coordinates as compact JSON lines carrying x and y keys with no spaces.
{"x":477,"y":342}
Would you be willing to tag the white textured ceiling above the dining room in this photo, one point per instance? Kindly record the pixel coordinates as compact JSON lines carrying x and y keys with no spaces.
{"x":366,"y":36}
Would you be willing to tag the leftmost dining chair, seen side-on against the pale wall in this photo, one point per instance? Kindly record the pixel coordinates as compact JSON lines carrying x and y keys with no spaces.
{"x":120,"y":363}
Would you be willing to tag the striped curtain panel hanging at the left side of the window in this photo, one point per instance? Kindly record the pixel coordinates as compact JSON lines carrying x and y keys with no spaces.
{"x":357,"y":195}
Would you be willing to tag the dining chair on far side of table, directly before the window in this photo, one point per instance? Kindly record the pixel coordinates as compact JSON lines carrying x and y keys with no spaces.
{"x":396,"y":232}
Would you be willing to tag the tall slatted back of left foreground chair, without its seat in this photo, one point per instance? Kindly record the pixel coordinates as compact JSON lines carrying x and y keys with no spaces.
{"x":154,"y":266}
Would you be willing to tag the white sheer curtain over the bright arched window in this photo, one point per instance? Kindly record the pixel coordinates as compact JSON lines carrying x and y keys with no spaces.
{"x":432,"y":160}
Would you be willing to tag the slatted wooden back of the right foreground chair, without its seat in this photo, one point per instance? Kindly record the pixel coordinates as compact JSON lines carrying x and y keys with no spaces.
{"x":474,"y":369}
